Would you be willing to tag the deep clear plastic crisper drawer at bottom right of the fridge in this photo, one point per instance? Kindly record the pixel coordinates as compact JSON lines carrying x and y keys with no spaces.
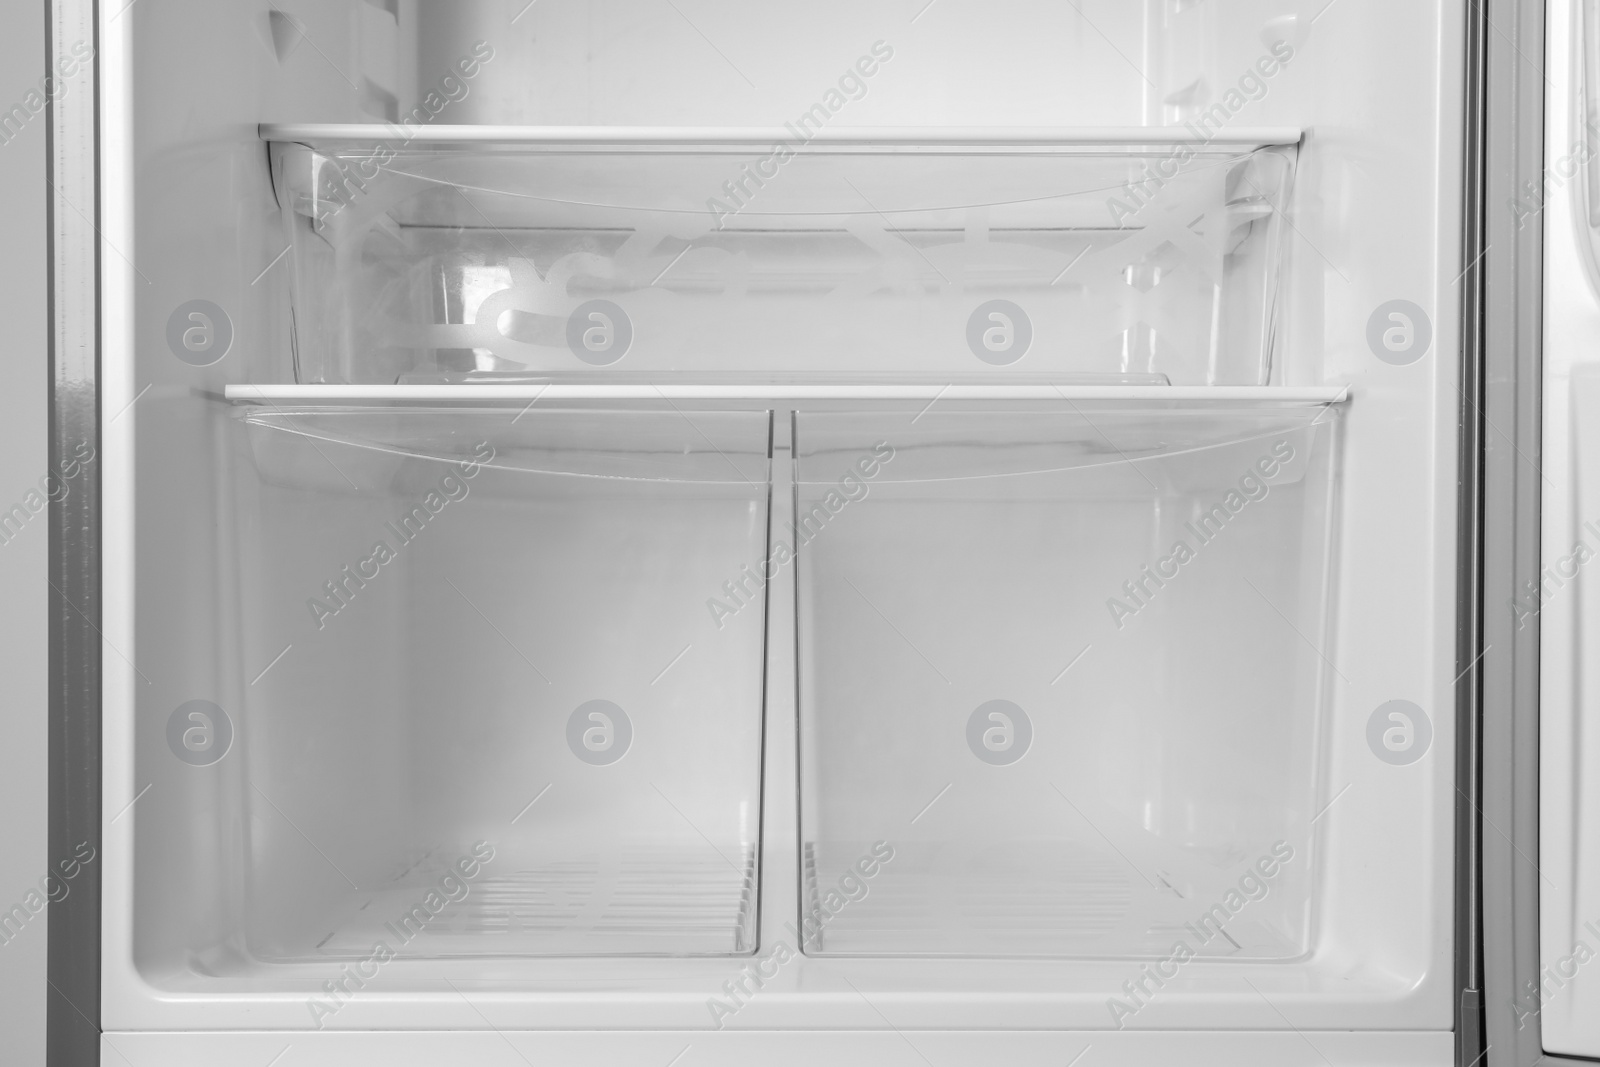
{"x":1066,"y":665}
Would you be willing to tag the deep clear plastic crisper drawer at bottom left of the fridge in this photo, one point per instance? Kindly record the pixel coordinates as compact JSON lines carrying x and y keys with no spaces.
{"x":481,"y":708}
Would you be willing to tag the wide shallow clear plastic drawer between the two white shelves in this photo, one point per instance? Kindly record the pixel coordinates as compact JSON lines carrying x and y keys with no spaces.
{"x":458,"y":255}
